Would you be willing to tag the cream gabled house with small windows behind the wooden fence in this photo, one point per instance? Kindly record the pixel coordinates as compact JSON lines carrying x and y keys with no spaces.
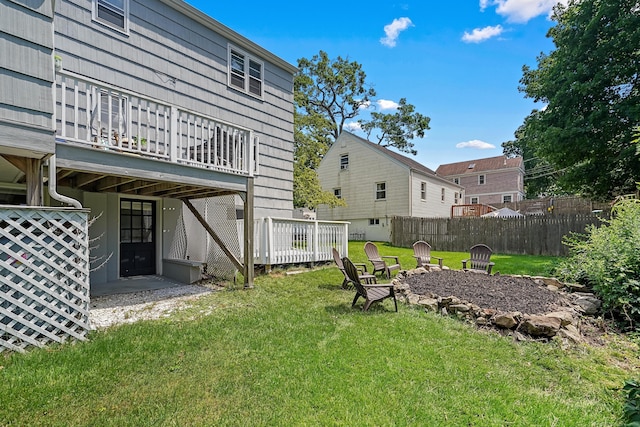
{"x":378,"y":184}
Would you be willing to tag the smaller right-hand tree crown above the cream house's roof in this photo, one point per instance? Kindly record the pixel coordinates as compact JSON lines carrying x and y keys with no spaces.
{"x":399,"y":128}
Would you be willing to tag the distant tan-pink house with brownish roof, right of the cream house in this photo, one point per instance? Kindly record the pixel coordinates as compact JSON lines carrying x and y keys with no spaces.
{"x":489,"y":181}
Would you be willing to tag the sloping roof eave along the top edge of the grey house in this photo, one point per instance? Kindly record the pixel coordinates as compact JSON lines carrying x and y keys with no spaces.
{"x":236,"y":38}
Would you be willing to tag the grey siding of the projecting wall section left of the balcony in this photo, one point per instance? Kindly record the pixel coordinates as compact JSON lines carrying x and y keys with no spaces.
{"x":26,"y":75}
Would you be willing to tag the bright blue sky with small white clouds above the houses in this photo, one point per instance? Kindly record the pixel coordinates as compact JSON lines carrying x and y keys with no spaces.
{"x":457,"y":62}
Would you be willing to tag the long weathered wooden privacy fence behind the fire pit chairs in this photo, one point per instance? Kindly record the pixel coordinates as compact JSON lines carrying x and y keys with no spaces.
{"x":529,"y":235}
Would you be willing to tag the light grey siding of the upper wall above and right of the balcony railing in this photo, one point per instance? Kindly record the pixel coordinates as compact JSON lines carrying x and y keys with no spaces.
{"x":178,"y":58}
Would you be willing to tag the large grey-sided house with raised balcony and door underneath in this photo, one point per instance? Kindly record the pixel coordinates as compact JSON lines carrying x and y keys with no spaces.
{"x":139,"y":108}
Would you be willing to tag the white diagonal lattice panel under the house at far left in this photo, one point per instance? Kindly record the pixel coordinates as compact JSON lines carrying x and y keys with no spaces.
{"x":44,"y":276}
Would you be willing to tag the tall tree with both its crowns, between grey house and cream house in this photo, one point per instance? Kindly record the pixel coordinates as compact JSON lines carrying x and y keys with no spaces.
{"x":327,"y":94}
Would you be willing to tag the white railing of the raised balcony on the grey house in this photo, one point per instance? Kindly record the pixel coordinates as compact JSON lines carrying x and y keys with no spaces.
{"x":106,"y":117}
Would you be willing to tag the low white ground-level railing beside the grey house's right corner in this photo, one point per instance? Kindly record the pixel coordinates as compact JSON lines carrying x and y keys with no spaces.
{"x":293,"y":241}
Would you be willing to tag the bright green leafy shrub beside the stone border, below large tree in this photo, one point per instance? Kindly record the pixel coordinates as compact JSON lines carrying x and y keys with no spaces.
{"x":607,"y":258}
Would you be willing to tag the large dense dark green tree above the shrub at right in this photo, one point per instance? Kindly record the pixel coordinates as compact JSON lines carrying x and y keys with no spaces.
{"x":591,"y":85}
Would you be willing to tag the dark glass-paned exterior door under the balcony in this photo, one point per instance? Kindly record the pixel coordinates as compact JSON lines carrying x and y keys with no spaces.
{"x":137,"y":237}
